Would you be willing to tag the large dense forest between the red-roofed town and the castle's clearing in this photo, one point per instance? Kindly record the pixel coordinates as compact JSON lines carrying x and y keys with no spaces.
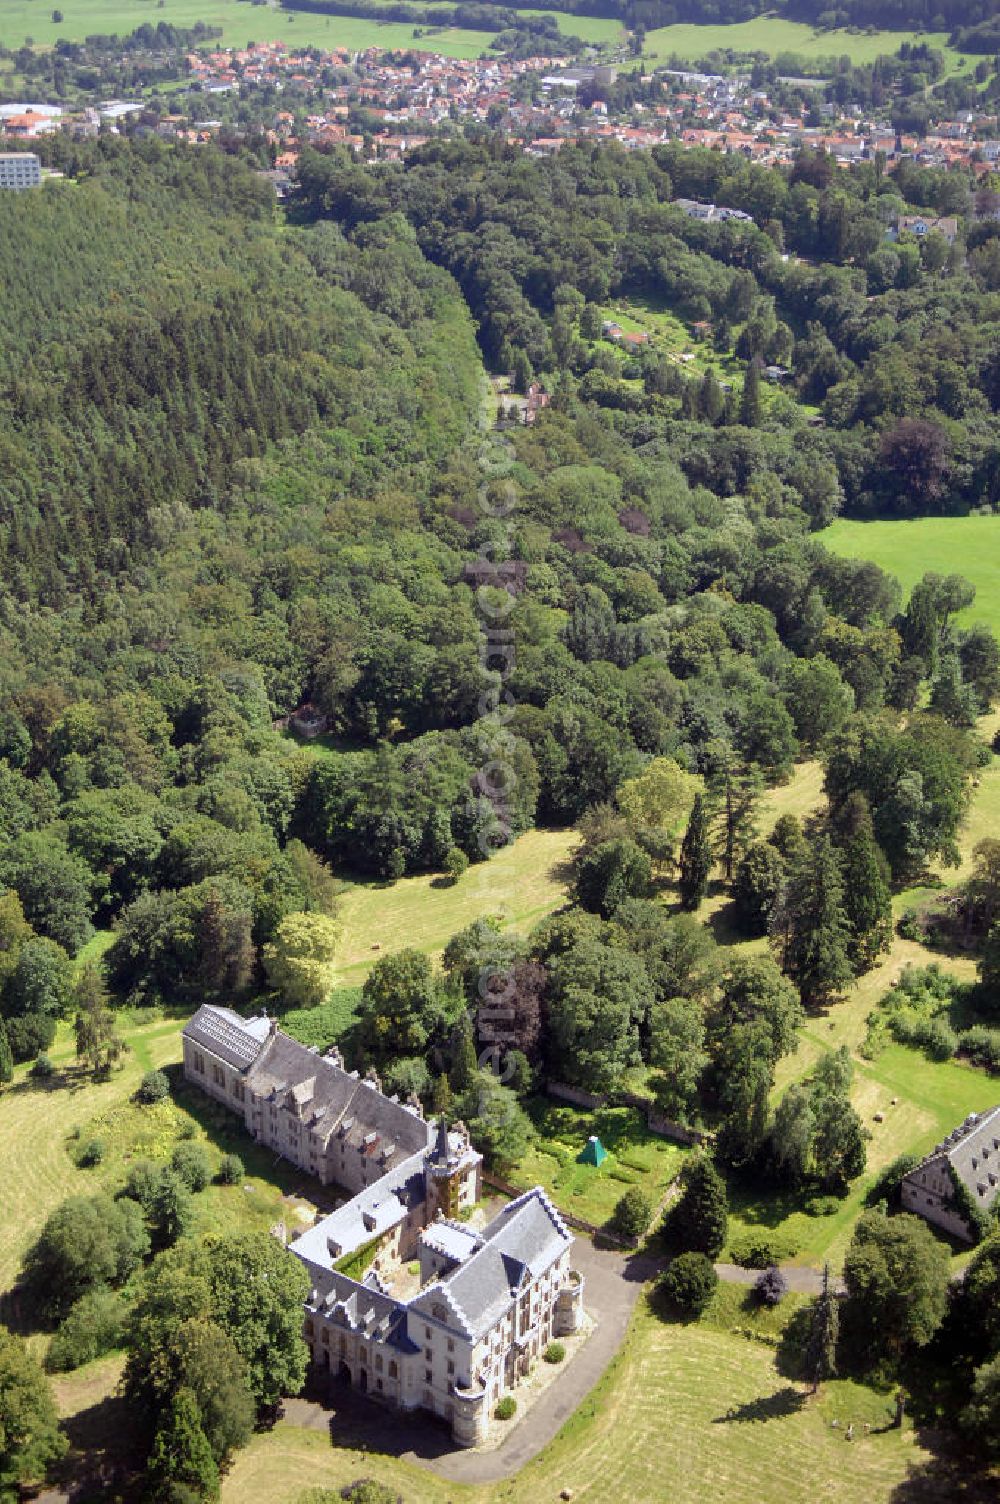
{"x":243,"y":468}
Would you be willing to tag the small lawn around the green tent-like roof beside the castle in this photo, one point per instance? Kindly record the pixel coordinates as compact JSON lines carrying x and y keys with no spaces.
{"x":635,"y":1157}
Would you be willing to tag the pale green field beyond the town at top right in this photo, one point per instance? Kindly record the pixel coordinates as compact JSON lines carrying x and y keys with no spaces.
{"x":771,"y":35}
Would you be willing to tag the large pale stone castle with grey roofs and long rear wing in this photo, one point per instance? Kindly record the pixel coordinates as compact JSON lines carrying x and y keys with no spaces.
{"x":468,"y":1327}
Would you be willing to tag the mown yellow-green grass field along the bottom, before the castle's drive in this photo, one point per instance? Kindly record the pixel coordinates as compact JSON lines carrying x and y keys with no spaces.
{"x":685,"y":1415}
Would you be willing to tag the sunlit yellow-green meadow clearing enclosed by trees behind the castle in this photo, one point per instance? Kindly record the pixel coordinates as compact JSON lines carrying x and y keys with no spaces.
{"x":523,"y":885}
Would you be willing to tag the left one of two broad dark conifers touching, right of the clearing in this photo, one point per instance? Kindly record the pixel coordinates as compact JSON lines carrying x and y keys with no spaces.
{"x":817,"y":954}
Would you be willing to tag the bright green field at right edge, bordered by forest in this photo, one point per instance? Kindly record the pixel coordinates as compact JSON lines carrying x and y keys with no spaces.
{"x":968,"y":547}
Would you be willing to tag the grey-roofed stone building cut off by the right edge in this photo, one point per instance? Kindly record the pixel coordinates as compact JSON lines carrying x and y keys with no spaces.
{"x":969,"y":1157}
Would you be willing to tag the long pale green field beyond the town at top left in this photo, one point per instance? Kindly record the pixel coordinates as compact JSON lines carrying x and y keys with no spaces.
{"x":243,"y":23}
